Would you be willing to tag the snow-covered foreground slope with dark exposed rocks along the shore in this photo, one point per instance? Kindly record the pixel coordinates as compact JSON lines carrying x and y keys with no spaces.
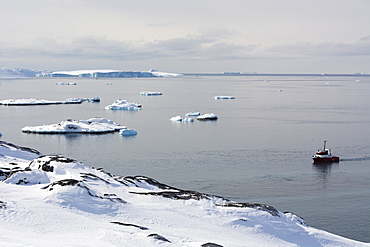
{"x":54,"y":200}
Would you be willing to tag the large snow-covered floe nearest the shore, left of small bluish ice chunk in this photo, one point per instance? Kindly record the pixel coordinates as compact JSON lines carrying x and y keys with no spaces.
{"x":89,"y":126}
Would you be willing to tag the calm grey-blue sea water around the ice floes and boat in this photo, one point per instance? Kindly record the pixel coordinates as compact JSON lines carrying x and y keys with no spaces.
{"x":258,"y":151}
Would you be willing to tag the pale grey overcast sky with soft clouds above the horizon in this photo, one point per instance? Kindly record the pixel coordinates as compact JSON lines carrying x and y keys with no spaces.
{"x":265,"y":36}
